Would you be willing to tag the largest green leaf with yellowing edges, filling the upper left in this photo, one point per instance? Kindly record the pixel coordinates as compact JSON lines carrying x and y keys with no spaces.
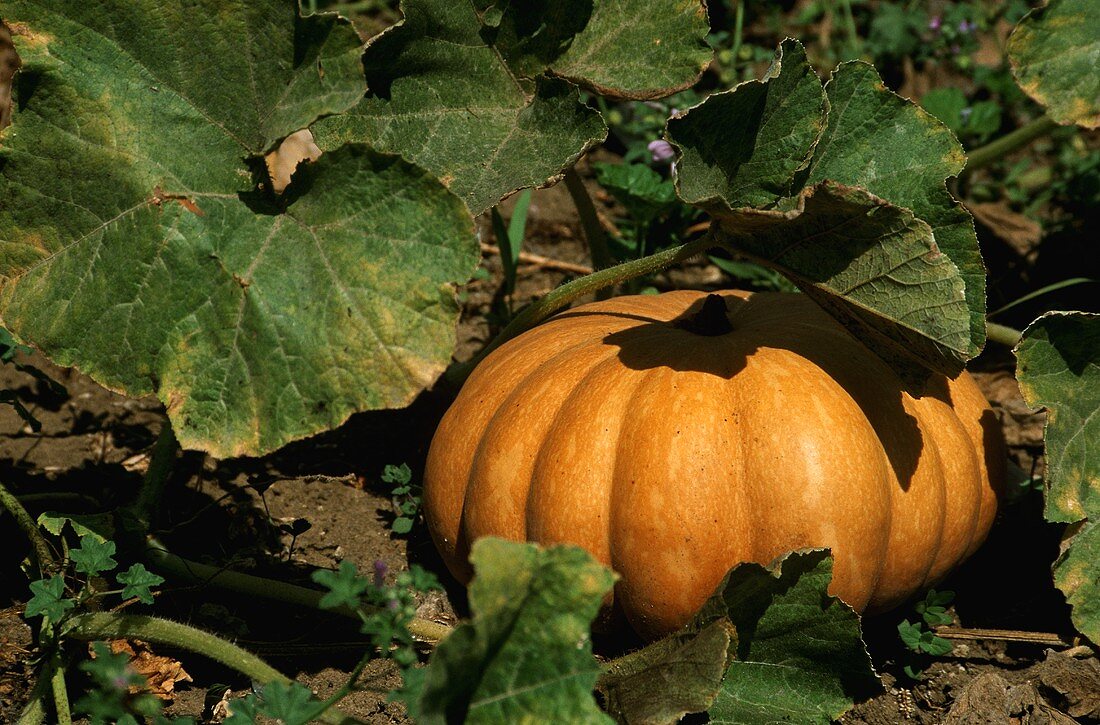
{"x":135,"y":245}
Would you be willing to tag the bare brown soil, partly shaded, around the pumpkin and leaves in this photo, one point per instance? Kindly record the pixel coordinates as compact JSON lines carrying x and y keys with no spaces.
{"x":93,"y":448}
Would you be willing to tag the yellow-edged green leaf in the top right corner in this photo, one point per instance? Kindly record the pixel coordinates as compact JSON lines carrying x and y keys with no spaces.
{"x":1053,"y":52}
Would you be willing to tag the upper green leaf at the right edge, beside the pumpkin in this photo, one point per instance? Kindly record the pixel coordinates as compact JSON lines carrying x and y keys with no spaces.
{"x":1059,"y":368}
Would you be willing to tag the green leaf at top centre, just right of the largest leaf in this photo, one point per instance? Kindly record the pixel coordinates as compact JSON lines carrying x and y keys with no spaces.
{"x":482,"y":101}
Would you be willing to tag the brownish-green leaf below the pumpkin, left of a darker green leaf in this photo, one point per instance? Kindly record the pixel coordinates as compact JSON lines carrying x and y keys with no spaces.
{"x":669,"y":679}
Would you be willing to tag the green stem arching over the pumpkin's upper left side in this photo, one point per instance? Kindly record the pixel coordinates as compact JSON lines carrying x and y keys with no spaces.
{"x":566,"y":294}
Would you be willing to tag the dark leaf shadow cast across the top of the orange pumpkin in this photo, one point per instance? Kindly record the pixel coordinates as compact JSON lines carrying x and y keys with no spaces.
{"x":721,"y":344}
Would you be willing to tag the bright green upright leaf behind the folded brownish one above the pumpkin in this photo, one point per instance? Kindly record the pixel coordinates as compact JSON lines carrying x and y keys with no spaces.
{"x":895,"y":150}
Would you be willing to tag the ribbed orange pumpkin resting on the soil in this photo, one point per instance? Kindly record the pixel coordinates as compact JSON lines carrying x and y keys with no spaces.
{"x":673,"y":456}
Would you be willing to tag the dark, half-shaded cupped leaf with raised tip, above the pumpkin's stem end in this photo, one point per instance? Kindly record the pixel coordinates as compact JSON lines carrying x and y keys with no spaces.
{"x":743,"y":148}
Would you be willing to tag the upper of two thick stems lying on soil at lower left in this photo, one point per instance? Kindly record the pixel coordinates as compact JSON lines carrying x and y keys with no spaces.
{"x":160,"y":558}
